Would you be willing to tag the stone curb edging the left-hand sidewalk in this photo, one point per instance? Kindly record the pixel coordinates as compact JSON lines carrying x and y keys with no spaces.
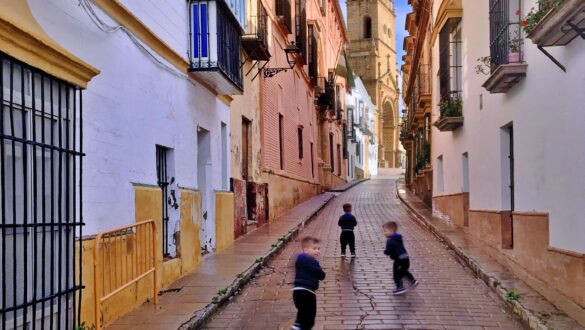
{"x":202,"y":316}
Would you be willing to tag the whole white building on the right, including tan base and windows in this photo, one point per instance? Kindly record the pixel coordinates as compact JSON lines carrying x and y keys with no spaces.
{"x":510,"y":169}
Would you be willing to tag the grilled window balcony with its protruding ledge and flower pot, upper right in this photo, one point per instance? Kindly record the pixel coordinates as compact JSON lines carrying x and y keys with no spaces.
{"x":506,"y":48}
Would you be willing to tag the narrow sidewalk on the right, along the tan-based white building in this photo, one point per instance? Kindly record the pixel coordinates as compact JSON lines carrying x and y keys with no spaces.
{"x":532,"y":308}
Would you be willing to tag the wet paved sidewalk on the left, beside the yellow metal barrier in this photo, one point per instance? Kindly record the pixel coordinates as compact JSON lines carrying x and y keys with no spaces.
{"x":190,"y":301}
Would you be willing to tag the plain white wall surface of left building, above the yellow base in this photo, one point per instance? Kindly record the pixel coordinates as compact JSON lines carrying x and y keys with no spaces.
{"x":130,"y":107}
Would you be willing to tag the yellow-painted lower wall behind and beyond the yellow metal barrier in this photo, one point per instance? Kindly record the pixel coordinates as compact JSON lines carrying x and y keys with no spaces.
{"x":148,"y":206}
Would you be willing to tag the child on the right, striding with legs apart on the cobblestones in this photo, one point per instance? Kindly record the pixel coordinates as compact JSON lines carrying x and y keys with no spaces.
{"x":397,"y":252}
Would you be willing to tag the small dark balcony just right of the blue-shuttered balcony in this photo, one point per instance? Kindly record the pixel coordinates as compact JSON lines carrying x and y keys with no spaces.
{"x":255,"y":38}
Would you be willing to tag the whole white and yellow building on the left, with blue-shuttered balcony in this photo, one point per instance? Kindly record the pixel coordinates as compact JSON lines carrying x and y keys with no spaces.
{"x":154,"y":132}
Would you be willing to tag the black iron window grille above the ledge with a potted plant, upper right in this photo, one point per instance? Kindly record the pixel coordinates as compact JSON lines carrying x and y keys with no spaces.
{"x":506,"y":42}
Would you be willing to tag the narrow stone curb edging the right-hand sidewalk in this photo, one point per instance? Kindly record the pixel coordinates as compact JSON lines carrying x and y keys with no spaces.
{"x":527,"y":316}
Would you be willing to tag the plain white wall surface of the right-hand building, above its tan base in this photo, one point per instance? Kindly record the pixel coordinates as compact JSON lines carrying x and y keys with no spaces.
{"x":547,"y":109}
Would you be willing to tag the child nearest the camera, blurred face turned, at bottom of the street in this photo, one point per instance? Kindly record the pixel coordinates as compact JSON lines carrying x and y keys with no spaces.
{"x":308,"y":273}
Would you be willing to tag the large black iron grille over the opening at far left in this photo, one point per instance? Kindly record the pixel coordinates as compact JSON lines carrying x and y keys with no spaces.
{"x":40,"y":198}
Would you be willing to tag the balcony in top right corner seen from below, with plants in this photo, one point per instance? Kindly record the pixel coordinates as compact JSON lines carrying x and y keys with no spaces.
{"x":556,"y":23}
